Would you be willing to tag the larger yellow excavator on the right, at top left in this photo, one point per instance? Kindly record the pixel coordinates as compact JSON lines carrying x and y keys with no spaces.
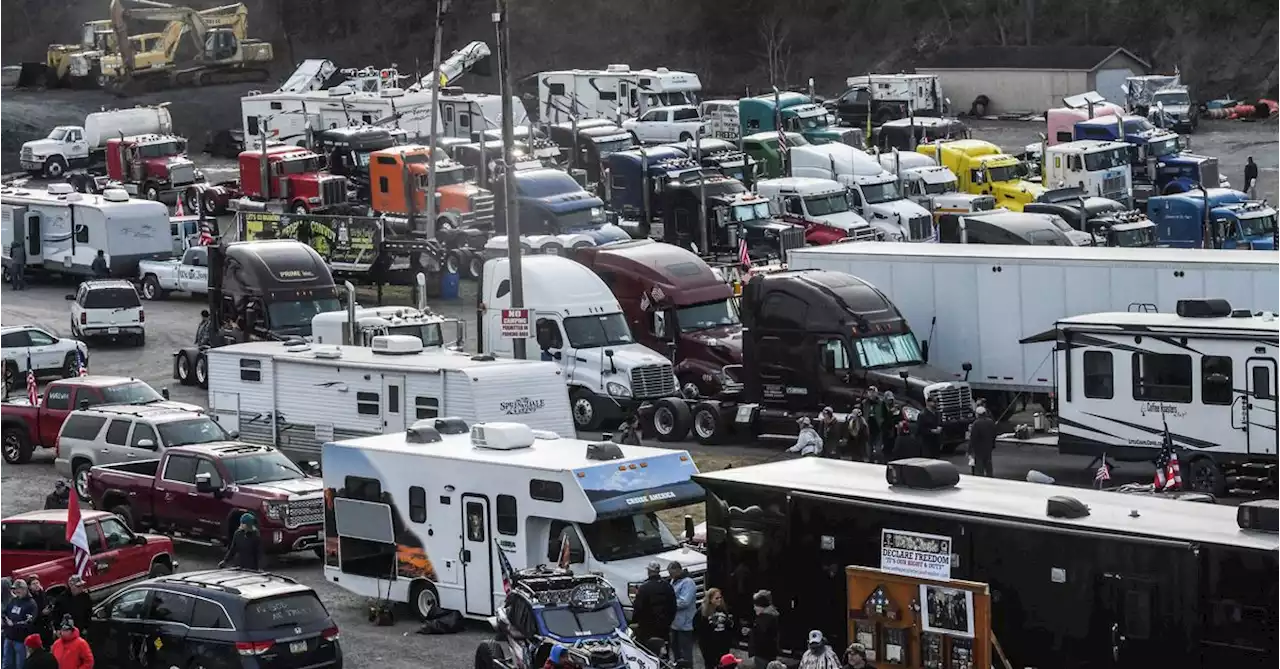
{"x":223,"y":53}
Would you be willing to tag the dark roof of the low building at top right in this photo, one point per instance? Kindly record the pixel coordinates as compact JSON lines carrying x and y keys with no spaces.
{"x":1062,"y":58}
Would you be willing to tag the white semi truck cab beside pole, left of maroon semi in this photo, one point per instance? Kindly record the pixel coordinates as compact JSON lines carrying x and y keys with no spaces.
{"x":577,"y":322}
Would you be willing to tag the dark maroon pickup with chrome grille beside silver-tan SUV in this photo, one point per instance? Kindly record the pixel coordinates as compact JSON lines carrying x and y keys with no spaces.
{"x":199,"y":493}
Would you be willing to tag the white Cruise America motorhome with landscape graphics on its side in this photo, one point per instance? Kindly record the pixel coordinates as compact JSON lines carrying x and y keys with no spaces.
{"x":435,"y":516}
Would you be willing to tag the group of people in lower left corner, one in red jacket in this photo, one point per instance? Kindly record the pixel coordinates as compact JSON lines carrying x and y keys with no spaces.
{"x":43,"y":633}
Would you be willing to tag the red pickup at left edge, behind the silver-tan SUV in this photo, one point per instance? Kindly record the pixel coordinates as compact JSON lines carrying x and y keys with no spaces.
{"x":24,"y":428}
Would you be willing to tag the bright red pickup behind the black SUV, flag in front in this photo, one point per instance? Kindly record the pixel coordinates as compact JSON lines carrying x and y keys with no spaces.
{"x":35,"y":544}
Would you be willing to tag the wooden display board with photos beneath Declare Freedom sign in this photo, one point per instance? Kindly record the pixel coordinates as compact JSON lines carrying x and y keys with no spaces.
{"x":917,"y":624}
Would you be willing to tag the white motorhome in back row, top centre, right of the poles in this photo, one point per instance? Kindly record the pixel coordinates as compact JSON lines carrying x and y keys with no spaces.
{"x":616,"y":93}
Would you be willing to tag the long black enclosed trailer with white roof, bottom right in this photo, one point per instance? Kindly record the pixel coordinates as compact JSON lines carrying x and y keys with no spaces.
{"x":1133,"y":583}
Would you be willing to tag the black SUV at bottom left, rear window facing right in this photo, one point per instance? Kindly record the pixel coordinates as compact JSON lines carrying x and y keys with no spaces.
{"x":216,"y":620}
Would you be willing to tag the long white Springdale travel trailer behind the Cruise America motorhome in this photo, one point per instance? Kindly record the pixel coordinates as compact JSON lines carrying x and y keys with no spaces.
{"x":296,"y":396}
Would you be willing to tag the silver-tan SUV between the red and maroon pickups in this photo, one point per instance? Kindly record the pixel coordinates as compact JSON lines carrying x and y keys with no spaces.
{"x":125,"y":433}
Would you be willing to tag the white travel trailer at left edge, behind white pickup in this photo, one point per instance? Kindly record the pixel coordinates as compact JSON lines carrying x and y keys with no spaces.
{"x":63,"y":231}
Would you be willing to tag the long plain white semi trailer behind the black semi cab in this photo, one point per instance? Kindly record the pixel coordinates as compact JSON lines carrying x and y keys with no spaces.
{"x":981,"y":301}
